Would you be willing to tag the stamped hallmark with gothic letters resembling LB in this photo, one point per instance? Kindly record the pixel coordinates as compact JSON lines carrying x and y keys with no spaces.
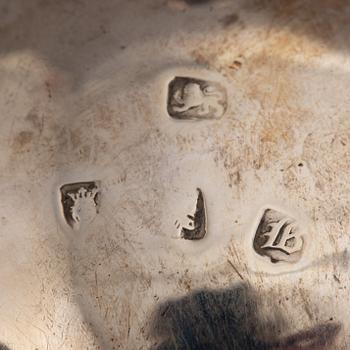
{"x":278,"y":237}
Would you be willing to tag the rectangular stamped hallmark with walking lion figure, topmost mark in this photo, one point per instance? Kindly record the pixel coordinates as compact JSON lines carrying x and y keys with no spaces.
{"x":196,"y":99}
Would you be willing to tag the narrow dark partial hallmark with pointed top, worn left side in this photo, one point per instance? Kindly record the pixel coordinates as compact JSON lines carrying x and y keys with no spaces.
{"x":199,"y":221}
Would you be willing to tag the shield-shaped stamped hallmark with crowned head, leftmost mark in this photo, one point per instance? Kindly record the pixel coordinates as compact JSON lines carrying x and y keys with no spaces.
{"x":80,"y":202}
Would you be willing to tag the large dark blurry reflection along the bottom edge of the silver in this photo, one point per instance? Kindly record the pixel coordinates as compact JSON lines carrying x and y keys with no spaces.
{"x":230,"y":319}
